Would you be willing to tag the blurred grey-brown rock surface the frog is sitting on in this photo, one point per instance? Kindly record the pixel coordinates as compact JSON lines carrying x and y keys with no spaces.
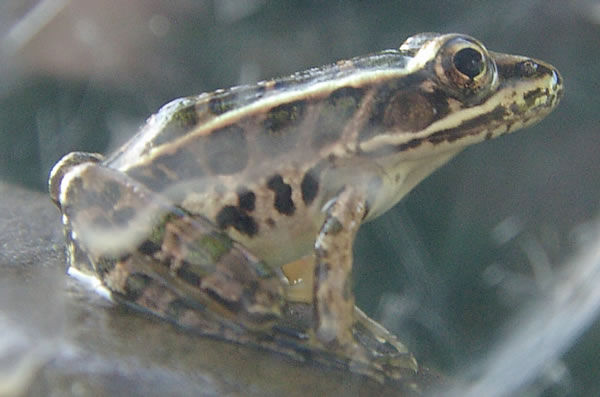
{"x":64,"y":339}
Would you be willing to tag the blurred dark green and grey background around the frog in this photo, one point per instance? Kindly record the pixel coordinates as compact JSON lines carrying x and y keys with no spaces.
{"x":460,"y":265}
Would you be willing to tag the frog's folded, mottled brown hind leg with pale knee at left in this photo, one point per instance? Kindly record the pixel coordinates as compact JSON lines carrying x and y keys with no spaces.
{"x":158,"y":258}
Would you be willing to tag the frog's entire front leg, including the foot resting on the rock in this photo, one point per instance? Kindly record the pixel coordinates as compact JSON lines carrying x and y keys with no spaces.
{"x":338,"y":325}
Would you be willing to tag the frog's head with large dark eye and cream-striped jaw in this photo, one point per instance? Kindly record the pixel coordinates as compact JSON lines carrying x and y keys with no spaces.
{"x":459,"y":93}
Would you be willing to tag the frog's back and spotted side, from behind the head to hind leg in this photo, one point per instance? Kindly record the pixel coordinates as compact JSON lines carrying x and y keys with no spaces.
{"x":254,"y":159}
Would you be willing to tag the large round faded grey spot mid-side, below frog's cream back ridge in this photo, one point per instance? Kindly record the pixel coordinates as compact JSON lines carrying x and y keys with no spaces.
{"x":226,"y":150}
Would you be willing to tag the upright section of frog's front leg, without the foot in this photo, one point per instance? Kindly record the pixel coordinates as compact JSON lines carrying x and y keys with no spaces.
{"x":333,"y":302}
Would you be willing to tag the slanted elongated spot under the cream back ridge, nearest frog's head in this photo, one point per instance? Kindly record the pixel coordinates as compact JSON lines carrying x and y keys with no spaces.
{"x":334,"y":114}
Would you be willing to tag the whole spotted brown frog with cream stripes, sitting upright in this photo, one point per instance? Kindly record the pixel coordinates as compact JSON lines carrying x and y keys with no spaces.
{"x":194,"y":218}
